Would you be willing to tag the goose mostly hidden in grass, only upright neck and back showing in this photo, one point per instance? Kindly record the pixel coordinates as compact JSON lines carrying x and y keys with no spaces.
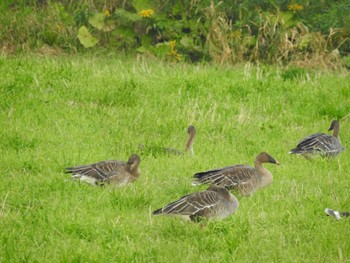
{"x":191,"y":130}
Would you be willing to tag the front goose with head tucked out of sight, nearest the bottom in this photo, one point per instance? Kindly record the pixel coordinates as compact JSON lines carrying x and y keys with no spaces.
{"x":214,"y":203}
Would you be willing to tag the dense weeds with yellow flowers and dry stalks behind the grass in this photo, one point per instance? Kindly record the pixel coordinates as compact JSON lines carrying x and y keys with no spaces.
{"x":307,"y":33}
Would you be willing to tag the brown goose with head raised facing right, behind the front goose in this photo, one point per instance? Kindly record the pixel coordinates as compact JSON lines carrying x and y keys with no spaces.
{"x":243,"y":178}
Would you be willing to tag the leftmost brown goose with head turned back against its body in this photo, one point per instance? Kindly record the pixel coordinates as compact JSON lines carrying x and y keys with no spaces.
{"x":114,"y":172}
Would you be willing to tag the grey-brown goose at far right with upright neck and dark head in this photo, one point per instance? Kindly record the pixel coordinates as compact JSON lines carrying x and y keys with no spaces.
{"x":320,"y":144}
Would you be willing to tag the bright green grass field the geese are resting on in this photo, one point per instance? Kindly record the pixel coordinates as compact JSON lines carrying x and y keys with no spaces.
{"x":63,"y":111}
